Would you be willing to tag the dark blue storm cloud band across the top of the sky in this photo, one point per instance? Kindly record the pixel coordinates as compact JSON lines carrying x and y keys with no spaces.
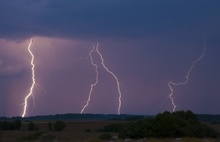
{"x":103,"y":18}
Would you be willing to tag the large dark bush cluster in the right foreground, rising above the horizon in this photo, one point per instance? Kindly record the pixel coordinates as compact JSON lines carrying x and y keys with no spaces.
{"x":164,"y":125}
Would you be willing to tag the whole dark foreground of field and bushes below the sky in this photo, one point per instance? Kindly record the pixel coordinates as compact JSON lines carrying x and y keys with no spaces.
{"x":180,"y":124}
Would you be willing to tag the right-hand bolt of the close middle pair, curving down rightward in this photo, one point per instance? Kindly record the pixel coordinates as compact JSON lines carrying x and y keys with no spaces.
{"x":115,"y":77}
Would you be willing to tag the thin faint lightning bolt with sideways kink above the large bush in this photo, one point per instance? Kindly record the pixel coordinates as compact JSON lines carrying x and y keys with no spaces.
{"x":170,"y":84}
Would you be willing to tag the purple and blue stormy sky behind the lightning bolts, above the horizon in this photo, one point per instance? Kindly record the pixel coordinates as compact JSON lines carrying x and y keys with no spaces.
{"x":146,"y":43}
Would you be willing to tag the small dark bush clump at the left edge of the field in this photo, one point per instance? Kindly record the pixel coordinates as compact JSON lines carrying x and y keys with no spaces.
{"x":10,"y":125}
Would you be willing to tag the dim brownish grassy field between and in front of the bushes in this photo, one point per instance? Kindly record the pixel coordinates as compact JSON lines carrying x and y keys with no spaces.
{"x":79,"y":132}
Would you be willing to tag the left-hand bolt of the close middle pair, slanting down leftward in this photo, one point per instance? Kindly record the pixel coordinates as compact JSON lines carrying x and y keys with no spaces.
{"x":96,"y":81}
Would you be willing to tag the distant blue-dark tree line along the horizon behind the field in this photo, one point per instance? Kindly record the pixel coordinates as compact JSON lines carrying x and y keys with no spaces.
{"x":123,"y":117}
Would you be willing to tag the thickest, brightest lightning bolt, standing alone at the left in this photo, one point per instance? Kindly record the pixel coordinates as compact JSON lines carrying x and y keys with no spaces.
{"x":33,"y":79}
